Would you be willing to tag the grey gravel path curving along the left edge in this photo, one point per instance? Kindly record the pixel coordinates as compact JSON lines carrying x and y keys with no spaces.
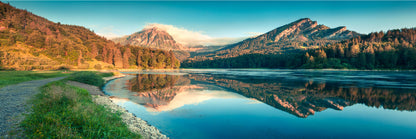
{"x":13,"y":100}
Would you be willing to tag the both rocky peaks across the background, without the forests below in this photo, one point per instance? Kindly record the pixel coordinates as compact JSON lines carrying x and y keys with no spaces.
{"x":303,"y":31}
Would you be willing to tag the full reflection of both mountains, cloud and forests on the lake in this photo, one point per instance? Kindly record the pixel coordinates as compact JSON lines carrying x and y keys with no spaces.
{"x":163,"y":92}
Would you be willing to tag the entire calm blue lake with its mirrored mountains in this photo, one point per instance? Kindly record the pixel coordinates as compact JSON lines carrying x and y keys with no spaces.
{"x":263,"y":103}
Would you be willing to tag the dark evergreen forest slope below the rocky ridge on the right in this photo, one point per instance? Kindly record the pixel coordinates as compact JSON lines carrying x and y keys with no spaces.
{"x":394,"y":49}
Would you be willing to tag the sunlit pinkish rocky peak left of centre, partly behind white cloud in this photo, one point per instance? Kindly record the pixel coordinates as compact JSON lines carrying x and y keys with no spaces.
{"x":150,"y":37}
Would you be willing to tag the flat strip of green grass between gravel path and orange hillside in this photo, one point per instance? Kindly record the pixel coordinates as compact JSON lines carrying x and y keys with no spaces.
{"x":14,"y":77}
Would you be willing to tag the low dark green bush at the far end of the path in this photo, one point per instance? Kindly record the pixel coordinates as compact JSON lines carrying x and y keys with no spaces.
{"x":87,"y":77}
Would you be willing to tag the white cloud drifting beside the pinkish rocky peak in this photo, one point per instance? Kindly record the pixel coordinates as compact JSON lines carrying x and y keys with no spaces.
{"x":192,"y":38}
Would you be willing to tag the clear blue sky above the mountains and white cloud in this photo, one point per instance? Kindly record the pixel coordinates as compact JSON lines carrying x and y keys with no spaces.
{"x":223,"y":19}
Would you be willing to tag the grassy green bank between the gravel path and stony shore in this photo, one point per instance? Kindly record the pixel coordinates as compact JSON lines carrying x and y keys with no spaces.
{"x":63,"y":111}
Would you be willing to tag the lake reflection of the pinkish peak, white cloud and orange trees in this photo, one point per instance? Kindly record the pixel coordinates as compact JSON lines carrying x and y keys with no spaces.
{"x":161,"y":92}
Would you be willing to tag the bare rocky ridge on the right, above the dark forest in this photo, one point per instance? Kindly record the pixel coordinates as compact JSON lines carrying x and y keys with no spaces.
{"x":299,"y":35}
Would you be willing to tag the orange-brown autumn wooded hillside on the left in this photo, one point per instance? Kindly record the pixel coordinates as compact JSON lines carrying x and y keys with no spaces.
{"x":32,"y":42}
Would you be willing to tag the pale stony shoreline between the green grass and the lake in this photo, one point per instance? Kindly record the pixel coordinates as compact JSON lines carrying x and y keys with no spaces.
{"x":134,"y":123}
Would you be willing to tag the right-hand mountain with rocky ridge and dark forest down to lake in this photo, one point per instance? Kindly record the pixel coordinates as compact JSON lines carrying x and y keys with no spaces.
{"x":305,"y":44}
